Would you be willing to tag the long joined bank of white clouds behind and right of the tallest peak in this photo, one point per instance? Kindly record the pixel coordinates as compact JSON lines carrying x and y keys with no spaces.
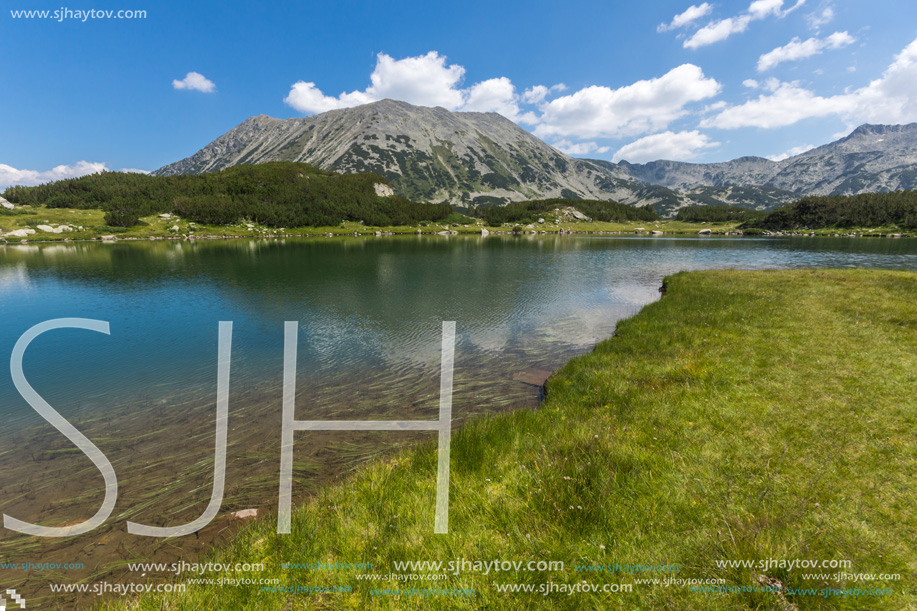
{"x":573,"y":120}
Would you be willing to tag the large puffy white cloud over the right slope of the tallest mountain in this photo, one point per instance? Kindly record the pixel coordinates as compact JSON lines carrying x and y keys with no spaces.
{"x":650,"y":105}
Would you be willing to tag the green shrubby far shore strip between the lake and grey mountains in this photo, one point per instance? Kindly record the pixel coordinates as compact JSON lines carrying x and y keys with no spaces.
{"x":297,"y":199}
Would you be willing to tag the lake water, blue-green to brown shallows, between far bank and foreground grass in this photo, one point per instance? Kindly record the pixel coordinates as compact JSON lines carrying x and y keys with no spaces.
{"x":370,"y":312}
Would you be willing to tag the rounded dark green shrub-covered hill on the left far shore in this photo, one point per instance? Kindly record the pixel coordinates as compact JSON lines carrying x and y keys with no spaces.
{"x":278,"y":194}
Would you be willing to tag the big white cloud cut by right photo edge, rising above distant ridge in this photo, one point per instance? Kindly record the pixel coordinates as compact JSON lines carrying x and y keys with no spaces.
{"x":892,"y":98}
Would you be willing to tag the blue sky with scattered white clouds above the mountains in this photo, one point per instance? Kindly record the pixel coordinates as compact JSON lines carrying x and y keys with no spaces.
{"x":696,"y":81}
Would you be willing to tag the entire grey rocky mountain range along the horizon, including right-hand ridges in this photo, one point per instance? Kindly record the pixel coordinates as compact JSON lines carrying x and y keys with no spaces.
{"x":470,"y":159}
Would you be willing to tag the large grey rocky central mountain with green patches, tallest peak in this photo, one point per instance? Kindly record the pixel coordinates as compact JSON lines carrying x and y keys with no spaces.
{"x":427,"y":154}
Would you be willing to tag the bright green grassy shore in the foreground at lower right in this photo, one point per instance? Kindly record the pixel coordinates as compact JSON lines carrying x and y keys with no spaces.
{"x":744,"y":416}
